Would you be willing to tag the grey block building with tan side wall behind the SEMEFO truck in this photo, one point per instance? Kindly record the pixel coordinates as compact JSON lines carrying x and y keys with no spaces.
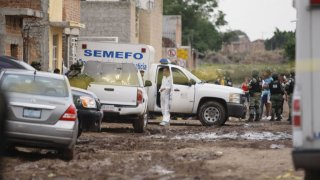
{"x":130,"y":21}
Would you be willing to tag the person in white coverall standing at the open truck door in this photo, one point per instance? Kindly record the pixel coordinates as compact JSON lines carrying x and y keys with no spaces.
{"x":165,"y":94}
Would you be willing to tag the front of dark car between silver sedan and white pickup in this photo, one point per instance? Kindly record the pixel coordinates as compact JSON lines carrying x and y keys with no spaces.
{"x":89,"y":110}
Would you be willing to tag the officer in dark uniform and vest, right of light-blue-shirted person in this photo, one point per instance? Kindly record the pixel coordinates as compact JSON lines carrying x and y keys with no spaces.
{"x":277,"y":92}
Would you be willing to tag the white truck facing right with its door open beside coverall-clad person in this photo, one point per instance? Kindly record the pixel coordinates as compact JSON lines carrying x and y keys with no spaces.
{"x":213,"y":104}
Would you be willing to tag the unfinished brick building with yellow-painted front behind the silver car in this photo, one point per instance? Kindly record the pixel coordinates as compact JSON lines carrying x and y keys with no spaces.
{"x":33,"y":30}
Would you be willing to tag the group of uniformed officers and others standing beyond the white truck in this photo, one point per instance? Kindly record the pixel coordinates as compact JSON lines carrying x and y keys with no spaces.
{"x":269,"y":92}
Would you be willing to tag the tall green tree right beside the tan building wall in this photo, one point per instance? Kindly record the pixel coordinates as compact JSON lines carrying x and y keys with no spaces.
{"x":200,"y":22}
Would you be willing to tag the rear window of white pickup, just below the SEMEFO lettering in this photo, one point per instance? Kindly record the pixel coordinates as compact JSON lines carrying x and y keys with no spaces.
{"x":120,"y":74}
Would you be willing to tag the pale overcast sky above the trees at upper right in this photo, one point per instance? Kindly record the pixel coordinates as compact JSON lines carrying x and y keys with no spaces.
{"x":258,"y":18}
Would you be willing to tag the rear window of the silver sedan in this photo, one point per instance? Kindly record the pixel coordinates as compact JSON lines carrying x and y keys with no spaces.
{"x":34,"y":85}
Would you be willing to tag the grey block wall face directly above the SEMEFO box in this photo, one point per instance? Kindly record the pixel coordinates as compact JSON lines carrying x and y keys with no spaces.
{"x":109,"y":19}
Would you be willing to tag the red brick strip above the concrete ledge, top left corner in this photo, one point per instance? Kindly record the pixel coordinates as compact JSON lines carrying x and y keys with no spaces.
{"x":32,"y":4}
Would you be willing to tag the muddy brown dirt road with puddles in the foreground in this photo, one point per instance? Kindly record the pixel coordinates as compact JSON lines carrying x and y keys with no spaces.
{"x":185,"y":150}
